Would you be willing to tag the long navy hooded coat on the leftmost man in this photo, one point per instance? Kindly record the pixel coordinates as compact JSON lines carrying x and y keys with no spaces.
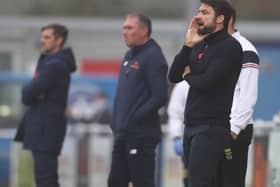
{"x":43,"y":126}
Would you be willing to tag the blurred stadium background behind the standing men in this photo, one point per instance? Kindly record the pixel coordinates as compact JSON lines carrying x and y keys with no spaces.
{"x":96,"y":37}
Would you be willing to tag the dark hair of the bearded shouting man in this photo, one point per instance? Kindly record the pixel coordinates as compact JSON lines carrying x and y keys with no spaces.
{"x":221,"y":7}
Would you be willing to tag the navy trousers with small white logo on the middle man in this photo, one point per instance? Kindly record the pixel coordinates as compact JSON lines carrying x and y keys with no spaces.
{"x":133,"y":161}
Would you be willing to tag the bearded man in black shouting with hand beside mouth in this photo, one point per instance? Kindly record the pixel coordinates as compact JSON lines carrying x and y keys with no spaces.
{"x":210,"y":61}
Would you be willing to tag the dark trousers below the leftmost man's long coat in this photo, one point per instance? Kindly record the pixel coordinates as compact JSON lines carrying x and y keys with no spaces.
{"x":45,"y":169}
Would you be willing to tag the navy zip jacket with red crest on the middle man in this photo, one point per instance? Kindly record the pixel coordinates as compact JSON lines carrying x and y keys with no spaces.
{"x":141,"y":91}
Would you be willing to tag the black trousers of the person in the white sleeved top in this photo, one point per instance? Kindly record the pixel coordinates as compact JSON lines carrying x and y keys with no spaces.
{"x":233,"y":173}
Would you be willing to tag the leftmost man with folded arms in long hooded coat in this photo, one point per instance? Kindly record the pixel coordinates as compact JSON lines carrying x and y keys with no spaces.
{"x":43,"y":126}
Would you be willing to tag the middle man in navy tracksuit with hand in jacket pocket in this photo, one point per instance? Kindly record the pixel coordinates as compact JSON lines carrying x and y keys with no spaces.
{"x":142,"y":89}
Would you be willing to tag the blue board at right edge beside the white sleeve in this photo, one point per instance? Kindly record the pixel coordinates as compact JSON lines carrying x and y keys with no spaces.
{"x":268,"y":102}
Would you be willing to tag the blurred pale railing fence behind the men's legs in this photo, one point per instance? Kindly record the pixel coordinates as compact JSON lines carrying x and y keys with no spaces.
{"x":86,"y":155}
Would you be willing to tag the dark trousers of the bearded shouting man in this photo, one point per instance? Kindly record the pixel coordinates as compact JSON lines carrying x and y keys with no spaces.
{"x":203,"y":153}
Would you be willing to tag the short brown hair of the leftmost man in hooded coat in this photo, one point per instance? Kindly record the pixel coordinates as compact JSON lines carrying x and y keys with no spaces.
{"x":58,"y":31}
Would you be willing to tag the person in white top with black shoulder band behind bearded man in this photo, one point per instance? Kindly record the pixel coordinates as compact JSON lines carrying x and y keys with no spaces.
{"x":245,"y":97}
